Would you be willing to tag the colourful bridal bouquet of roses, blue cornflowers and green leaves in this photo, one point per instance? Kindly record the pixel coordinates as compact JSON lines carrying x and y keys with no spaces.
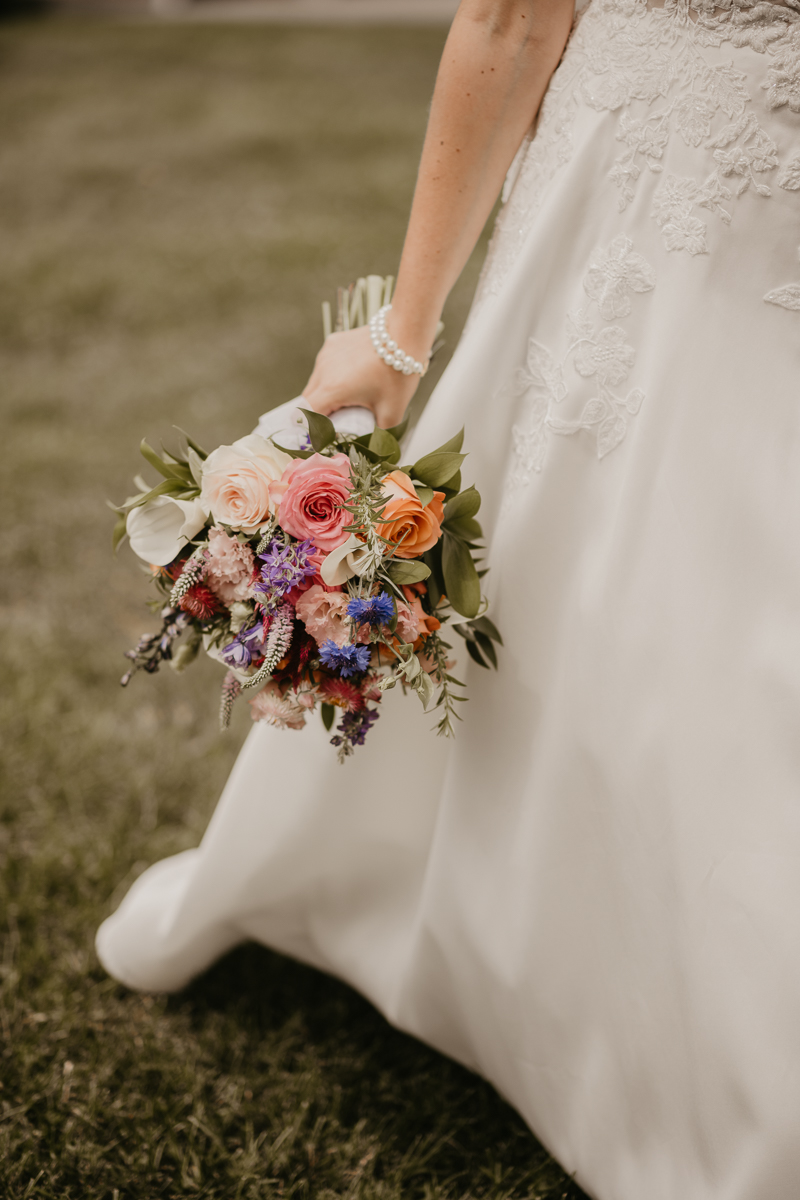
{"x":320,"y":574}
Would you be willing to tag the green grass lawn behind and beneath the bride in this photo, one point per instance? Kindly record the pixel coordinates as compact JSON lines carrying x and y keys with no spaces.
{"x":175,"y":203}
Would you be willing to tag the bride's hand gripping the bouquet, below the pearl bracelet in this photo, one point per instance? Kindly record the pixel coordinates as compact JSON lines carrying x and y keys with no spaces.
{"x":350,"y":374}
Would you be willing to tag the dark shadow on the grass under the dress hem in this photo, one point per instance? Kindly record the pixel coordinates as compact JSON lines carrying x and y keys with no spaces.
{"x":432,"y":1129}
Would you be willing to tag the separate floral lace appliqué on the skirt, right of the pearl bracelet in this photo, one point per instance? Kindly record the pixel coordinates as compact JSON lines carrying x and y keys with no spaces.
{"x":613,"y":278}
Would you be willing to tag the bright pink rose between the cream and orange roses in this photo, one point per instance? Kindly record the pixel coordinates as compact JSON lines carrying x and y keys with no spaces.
{"x":311,"y":494}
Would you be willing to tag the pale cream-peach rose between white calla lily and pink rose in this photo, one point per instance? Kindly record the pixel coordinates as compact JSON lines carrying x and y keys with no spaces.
{"x":237,"y":482}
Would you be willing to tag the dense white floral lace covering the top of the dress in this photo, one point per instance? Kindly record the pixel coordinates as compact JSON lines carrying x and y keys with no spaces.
{"x":657,"y":64}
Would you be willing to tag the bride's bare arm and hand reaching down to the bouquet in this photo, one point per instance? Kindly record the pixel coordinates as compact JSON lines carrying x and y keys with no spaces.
{"x":497,"y":63}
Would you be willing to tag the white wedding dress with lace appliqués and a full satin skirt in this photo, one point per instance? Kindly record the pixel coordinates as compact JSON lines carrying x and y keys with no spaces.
{"x":592,"y":897}
